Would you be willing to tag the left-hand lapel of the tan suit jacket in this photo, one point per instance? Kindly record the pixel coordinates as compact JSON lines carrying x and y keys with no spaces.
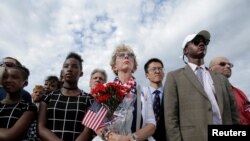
{"x":194,"y":80}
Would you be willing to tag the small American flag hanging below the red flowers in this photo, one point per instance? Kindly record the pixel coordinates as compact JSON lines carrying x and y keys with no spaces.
{"x":94,"y":116}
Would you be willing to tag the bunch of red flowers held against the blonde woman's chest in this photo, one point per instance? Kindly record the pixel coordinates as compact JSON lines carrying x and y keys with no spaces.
{"x":110,"y":94}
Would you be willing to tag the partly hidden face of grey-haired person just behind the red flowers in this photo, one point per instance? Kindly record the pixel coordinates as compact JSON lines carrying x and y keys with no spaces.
{"x":97,"y":78}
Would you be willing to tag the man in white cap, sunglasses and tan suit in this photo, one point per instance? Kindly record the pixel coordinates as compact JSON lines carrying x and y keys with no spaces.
{"x":194,"y":97}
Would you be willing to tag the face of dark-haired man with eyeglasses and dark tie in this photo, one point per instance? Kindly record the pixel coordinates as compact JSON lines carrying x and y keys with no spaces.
{"x":155,"y":72}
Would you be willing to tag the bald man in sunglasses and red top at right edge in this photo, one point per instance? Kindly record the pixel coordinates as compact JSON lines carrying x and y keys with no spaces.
{"x":222,"y":66}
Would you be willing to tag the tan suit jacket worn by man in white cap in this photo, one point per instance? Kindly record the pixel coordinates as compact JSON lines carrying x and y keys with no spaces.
{"x":188,"y":111}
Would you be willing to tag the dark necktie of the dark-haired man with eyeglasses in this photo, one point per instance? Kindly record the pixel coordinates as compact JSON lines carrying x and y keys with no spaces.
{"x":156,"y":105}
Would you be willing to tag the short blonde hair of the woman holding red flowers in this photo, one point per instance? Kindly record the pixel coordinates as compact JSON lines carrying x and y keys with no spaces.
{"x":122,"y":48}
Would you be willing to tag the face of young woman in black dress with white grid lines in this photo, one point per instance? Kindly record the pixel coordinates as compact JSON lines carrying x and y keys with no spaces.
{"x":71,"y":70}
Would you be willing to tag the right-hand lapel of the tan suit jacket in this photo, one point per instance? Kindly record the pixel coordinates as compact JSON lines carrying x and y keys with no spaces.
{"x":218,"y":91}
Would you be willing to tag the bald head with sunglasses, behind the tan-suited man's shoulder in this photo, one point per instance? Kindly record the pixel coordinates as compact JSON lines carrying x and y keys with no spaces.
{"x":221,"y":65}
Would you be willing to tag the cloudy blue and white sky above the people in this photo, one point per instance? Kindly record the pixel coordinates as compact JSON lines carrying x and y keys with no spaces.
{"x":40,"y":34}
